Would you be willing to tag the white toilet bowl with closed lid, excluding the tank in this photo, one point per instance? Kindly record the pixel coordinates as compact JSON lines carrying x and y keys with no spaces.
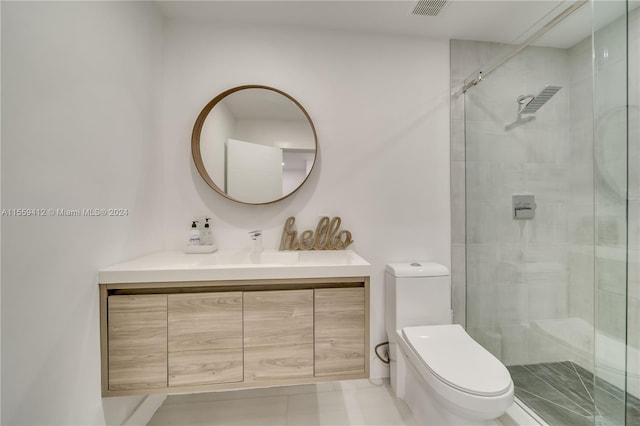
{"x":450,"y":379}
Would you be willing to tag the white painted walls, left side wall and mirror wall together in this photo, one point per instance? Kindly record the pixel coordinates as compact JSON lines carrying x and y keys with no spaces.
{"x":81,"y":130}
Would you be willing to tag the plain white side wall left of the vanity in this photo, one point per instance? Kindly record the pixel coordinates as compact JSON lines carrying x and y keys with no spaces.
{"x":79,"y":98}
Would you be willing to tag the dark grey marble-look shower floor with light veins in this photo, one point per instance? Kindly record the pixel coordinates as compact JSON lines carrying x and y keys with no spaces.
{"x":563,"y":394}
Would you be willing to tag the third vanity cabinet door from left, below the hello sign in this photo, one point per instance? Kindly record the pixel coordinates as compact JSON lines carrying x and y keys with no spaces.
{"x":278,"y":335}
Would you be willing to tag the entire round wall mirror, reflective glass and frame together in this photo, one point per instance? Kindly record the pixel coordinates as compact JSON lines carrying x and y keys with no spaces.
{"x":254,"y":144}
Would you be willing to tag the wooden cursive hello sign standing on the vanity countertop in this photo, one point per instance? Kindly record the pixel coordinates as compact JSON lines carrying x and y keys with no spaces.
{"x":327,"y":236}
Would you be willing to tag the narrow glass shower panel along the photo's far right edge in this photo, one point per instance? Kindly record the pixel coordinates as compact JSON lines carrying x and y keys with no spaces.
{"x":616,"y":389}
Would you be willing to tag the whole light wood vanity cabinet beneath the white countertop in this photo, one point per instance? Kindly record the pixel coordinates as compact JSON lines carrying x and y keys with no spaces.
{"x":199,"y":336}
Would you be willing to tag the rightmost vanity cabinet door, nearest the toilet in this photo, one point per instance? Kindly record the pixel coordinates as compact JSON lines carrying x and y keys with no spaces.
{"x":339,"y":331}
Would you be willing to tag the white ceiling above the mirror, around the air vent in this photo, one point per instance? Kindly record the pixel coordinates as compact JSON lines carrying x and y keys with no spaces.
{"x":499,"y":21}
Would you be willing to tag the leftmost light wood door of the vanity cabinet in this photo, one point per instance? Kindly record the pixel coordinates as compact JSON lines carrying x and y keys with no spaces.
{"x":137,"y":328}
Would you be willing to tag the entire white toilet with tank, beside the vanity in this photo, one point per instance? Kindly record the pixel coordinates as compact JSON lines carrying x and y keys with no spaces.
{"x":445,"y":377}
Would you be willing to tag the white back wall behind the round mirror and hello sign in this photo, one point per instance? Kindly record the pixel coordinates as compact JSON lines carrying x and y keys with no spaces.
{"x":380,"y":107}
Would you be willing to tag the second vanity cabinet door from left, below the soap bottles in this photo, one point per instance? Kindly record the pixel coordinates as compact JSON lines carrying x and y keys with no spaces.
{"x":205,"y":338}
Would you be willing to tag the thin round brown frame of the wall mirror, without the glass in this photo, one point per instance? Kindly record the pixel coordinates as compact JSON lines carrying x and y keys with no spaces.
{"x":197,"y":130}
